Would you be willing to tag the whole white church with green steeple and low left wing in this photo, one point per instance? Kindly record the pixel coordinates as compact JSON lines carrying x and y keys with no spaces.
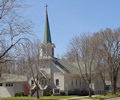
{"x":56,"y":73}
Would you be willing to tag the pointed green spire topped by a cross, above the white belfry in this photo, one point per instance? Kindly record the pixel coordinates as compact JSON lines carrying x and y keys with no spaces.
{"x":47,"y":36}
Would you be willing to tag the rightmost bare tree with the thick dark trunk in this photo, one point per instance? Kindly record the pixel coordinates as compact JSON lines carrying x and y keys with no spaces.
{"x":110,"y":48}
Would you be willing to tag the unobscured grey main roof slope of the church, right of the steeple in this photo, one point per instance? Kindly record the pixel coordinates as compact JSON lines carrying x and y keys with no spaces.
{"x":67,"y":66}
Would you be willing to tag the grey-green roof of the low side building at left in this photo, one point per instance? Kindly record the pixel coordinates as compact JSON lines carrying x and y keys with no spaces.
{"x":12,"y":78}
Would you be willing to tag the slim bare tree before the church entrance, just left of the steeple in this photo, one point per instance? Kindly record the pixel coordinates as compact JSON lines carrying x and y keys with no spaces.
{"x":31,"y":54}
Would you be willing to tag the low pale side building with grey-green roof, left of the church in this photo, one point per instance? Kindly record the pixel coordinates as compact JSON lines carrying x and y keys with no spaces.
{"x":10,"y":84}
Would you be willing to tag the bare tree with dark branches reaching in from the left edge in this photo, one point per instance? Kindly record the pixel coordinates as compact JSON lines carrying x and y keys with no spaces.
{"x":13,"y":29}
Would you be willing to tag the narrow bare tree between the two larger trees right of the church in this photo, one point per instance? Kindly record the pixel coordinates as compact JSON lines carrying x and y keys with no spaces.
{"x":100,"y":60}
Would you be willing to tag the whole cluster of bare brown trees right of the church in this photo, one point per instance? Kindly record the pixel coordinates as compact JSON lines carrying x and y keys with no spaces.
{"x":97,"y":52}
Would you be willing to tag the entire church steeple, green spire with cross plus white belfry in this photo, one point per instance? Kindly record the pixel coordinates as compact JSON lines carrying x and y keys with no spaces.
{"x":47,"y":47}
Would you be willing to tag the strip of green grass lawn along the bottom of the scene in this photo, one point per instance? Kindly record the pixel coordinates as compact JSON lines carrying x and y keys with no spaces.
{"x":98,"y":97}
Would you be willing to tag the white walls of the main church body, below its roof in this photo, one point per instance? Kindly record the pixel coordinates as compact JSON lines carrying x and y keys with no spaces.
{"x":65,"y":79}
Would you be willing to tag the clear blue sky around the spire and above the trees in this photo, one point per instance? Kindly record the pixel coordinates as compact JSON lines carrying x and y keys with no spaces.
{"x":68,"y":18}
